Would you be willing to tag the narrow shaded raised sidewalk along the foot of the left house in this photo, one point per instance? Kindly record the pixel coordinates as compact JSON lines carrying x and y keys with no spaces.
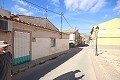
{"x":36,"y":62}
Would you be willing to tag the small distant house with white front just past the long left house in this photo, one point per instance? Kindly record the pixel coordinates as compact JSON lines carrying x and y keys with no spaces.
{"x":74,"y":37}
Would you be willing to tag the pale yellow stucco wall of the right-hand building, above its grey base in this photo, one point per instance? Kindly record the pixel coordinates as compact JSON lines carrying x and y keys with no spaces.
{"x":107,"y":33}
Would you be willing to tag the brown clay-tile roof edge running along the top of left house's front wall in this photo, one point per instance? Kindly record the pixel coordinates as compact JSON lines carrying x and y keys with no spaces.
{"x":26,"y":23}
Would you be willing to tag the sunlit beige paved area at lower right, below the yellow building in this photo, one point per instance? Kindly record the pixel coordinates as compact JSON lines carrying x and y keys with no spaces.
{"x":110,"y":61}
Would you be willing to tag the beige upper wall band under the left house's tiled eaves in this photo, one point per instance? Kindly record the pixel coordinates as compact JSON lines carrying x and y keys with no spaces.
{"x":40,"y":33}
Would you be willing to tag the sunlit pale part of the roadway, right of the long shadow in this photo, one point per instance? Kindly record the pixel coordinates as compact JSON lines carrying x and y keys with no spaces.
{"x":78,"y":67}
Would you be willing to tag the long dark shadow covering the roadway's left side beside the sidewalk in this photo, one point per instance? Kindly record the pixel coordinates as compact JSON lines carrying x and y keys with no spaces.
{"x":39,"y":71}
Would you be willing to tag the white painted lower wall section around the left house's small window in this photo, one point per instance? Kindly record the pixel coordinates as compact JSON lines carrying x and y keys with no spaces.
{"x":42,"y":48}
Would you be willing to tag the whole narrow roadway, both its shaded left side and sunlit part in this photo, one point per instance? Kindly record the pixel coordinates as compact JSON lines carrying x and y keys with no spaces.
{"x":71,"y":66}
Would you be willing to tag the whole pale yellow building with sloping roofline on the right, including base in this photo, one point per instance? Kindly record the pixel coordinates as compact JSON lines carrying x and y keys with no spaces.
{"x":108,"y":34}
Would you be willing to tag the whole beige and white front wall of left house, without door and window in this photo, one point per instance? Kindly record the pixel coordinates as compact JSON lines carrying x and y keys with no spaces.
{"x":40,"y":40}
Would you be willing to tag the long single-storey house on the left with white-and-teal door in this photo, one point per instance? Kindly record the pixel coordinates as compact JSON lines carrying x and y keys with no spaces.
{"x":30,"y":37}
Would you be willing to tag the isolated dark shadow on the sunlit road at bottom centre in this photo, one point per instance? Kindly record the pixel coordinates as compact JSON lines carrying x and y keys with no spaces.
{"x":69,"y":76}
